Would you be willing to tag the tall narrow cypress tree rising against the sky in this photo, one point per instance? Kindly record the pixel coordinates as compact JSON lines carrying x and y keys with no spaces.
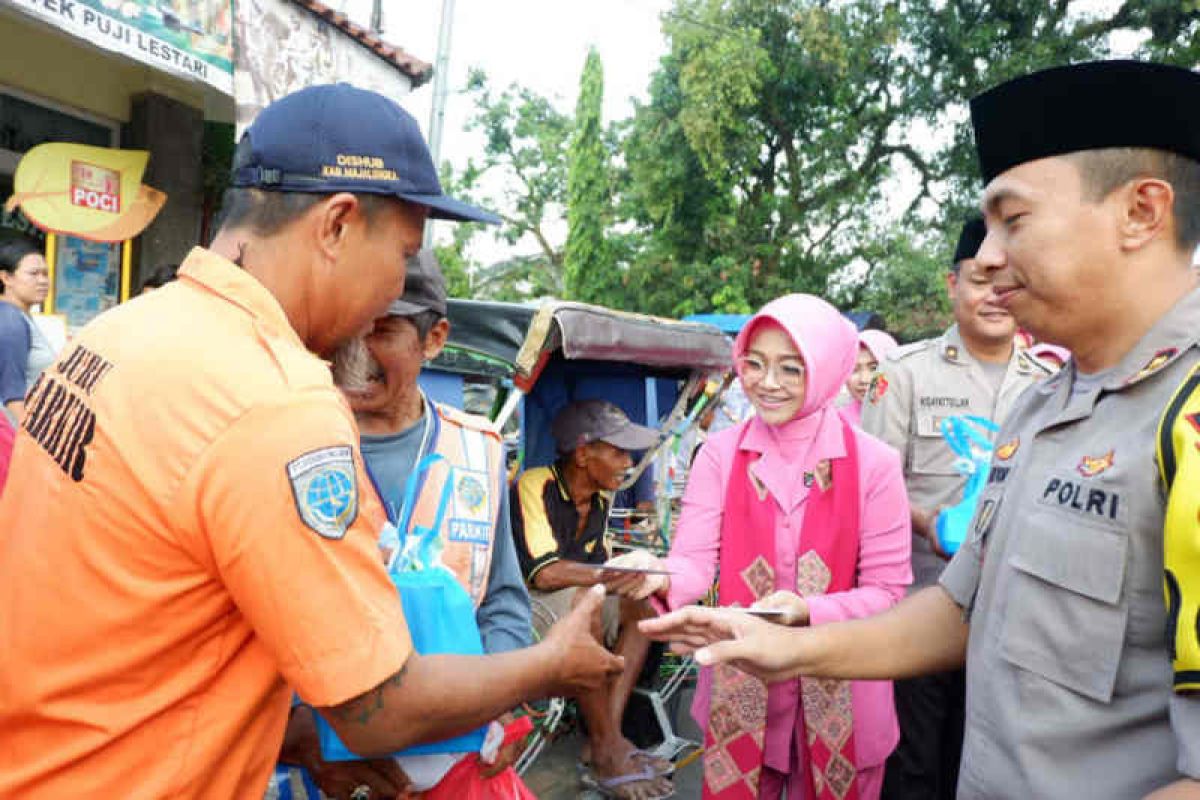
{"x":587,"y":263}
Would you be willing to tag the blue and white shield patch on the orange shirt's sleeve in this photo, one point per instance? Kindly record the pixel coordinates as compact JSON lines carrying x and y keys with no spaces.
{"x":326,"y":490}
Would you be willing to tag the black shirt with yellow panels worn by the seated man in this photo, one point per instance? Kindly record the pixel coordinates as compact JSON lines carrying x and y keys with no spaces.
{"x":545,"y":521}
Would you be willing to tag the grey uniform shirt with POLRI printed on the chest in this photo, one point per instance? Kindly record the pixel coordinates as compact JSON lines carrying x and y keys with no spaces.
{"x":1069,"y":660}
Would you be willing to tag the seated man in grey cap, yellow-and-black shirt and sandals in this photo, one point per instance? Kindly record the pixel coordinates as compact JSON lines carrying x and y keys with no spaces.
{"x":559,"y":520}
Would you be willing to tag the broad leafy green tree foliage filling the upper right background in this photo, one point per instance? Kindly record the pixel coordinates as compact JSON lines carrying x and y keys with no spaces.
{"x":821,"y":146}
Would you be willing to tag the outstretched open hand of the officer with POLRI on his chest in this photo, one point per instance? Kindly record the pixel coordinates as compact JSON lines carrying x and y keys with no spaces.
{"x":730,"y":636}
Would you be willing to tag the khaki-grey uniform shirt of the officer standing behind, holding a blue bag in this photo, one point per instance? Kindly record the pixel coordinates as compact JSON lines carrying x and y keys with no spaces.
{"x":916,"y":388}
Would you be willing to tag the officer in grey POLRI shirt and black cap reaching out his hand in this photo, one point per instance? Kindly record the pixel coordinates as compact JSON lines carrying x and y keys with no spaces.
{"x":1057,"y":599}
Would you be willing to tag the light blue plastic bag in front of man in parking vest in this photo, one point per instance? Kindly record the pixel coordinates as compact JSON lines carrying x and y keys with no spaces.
{"x":439,"y":610}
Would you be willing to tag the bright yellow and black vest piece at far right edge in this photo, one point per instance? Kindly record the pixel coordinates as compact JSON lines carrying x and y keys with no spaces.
{"x":1179,"y":461}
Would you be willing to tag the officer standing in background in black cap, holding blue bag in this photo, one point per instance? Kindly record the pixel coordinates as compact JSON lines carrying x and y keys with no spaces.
{"x":971,"y":369}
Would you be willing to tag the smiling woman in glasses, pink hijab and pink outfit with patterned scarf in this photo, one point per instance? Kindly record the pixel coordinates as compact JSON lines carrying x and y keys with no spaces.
{"x":805,"y":514}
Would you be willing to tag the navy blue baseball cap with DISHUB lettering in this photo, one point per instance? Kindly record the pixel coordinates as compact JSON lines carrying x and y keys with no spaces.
{"x":339,"y":139}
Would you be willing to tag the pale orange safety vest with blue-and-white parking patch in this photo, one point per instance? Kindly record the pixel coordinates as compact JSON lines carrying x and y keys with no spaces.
{"x":475,"y":472}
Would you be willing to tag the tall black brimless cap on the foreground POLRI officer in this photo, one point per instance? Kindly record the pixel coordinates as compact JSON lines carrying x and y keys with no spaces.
{"x":1088,"y":107}
